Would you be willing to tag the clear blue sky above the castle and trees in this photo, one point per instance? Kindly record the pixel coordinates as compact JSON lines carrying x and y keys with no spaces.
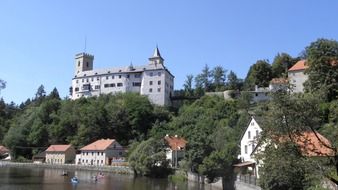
{"x":39,"y":38}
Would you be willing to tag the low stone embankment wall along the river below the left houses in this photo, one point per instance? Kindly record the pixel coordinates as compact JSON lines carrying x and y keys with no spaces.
{"x":111,"y":169}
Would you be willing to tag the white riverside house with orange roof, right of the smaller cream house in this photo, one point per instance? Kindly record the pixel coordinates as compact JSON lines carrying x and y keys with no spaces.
{"x":101,"y":152}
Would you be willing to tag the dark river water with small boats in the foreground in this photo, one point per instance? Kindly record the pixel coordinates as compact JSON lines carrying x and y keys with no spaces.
{"x":13,"y":178}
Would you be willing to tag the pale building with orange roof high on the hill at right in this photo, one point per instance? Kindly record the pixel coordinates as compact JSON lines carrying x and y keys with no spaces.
{"x":297,"y":77}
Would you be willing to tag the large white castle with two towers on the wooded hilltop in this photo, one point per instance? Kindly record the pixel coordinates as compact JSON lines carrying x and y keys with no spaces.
{"x":153,"y":80}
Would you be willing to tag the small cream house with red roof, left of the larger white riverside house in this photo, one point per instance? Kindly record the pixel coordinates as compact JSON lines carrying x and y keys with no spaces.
{"x":60,"y":154}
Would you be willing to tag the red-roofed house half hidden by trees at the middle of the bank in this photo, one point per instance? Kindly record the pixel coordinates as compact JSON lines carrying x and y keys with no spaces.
{"x":176,"y":149}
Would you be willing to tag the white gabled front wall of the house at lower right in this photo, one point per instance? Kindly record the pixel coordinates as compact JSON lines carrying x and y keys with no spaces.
{"x":249,"y":142}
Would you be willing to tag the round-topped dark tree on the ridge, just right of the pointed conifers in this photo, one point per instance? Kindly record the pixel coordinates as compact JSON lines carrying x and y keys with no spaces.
{"x":259,"y":74}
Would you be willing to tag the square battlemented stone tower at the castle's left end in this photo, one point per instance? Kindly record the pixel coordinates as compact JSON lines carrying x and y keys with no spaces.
{"x":83,"y":62}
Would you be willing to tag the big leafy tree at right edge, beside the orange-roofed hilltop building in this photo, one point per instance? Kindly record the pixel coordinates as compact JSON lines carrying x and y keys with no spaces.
{"x":322,"y":59}
